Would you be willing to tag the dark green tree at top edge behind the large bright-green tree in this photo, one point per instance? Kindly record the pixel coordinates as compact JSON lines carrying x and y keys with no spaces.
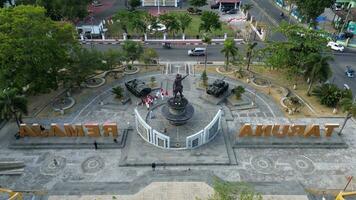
{"x":61,"y":9}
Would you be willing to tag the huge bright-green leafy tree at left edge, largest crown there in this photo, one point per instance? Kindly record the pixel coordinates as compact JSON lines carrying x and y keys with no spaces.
{"x":33,"y":49}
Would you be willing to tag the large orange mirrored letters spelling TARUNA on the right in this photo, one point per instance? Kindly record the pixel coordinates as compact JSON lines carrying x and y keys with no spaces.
{"x":281,"y":131}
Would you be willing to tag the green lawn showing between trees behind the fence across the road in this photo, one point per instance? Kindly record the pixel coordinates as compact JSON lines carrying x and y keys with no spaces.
{"x":192,"y":31}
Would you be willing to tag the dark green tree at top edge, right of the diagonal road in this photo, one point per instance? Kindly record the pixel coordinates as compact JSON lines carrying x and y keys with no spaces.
{"x":312,"y":9}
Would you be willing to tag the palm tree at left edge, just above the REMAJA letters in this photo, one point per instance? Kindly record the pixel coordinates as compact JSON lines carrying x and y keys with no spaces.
{"x":12,"y":105}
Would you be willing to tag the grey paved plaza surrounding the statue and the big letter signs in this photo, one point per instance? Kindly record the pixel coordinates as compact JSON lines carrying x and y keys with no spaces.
{"x":126,"y":170}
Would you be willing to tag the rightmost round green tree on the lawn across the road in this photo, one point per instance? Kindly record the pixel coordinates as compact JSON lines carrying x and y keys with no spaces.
{"x":209,"y":21}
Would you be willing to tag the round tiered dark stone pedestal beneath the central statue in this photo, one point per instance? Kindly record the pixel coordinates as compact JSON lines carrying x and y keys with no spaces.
{"x":177,"y":111}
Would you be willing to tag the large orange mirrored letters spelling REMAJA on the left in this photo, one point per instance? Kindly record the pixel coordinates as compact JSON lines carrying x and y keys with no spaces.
{"x":69,"y":130}
